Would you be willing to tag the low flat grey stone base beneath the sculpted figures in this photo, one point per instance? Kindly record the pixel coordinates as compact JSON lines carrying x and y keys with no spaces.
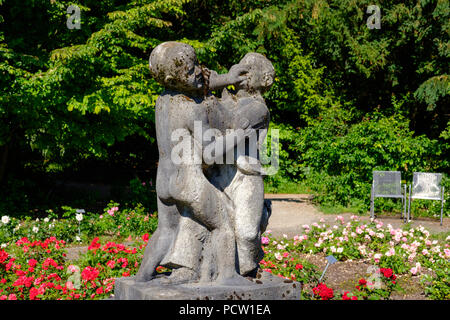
{"x":266,"y":287}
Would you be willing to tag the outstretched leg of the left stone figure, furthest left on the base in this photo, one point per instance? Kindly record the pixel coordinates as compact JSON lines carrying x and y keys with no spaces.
{"x":160,"y":242}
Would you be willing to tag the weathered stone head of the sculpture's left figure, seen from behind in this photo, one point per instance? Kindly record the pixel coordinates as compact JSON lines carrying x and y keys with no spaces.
{"x":175,"y":65}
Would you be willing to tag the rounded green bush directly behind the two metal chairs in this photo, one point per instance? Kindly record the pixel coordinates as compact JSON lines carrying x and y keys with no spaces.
{"x":342,"y":156}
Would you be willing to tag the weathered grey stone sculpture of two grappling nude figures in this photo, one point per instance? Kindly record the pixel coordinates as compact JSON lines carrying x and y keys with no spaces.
{"x":209,"y":183}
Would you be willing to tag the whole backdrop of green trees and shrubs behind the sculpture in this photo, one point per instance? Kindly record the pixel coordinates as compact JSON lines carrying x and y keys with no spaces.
{"x":347,"y":99}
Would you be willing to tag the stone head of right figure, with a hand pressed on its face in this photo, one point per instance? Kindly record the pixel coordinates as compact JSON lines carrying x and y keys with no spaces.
{"x":261,"y":72}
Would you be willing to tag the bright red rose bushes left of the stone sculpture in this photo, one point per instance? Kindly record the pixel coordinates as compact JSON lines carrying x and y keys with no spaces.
{"x":38,"y":270}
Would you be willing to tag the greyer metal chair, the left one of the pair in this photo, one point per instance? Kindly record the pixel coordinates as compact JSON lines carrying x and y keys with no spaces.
{"x":387,"y":184}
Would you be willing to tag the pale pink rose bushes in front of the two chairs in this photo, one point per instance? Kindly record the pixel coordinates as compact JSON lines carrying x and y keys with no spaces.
{"x":387,"y":247}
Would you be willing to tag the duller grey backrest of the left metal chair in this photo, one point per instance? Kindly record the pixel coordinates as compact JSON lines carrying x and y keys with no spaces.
{"x":387,"y":183}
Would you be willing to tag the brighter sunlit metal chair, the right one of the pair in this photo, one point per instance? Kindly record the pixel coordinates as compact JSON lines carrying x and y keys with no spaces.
{"x":426,"y":186}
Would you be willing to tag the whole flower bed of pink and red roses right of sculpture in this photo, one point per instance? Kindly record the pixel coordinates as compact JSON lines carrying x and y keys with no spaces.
{"x":409,"y":252}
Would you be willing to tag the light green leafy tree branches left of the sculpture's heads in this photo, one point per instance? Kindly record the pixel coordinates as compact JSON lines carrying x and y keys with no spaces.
{"x":77,"y":101}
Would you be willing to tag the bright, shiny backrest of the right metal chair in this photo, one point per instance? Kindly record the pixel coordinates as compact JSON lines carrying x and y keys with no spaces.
{"x":426,"y":185}
